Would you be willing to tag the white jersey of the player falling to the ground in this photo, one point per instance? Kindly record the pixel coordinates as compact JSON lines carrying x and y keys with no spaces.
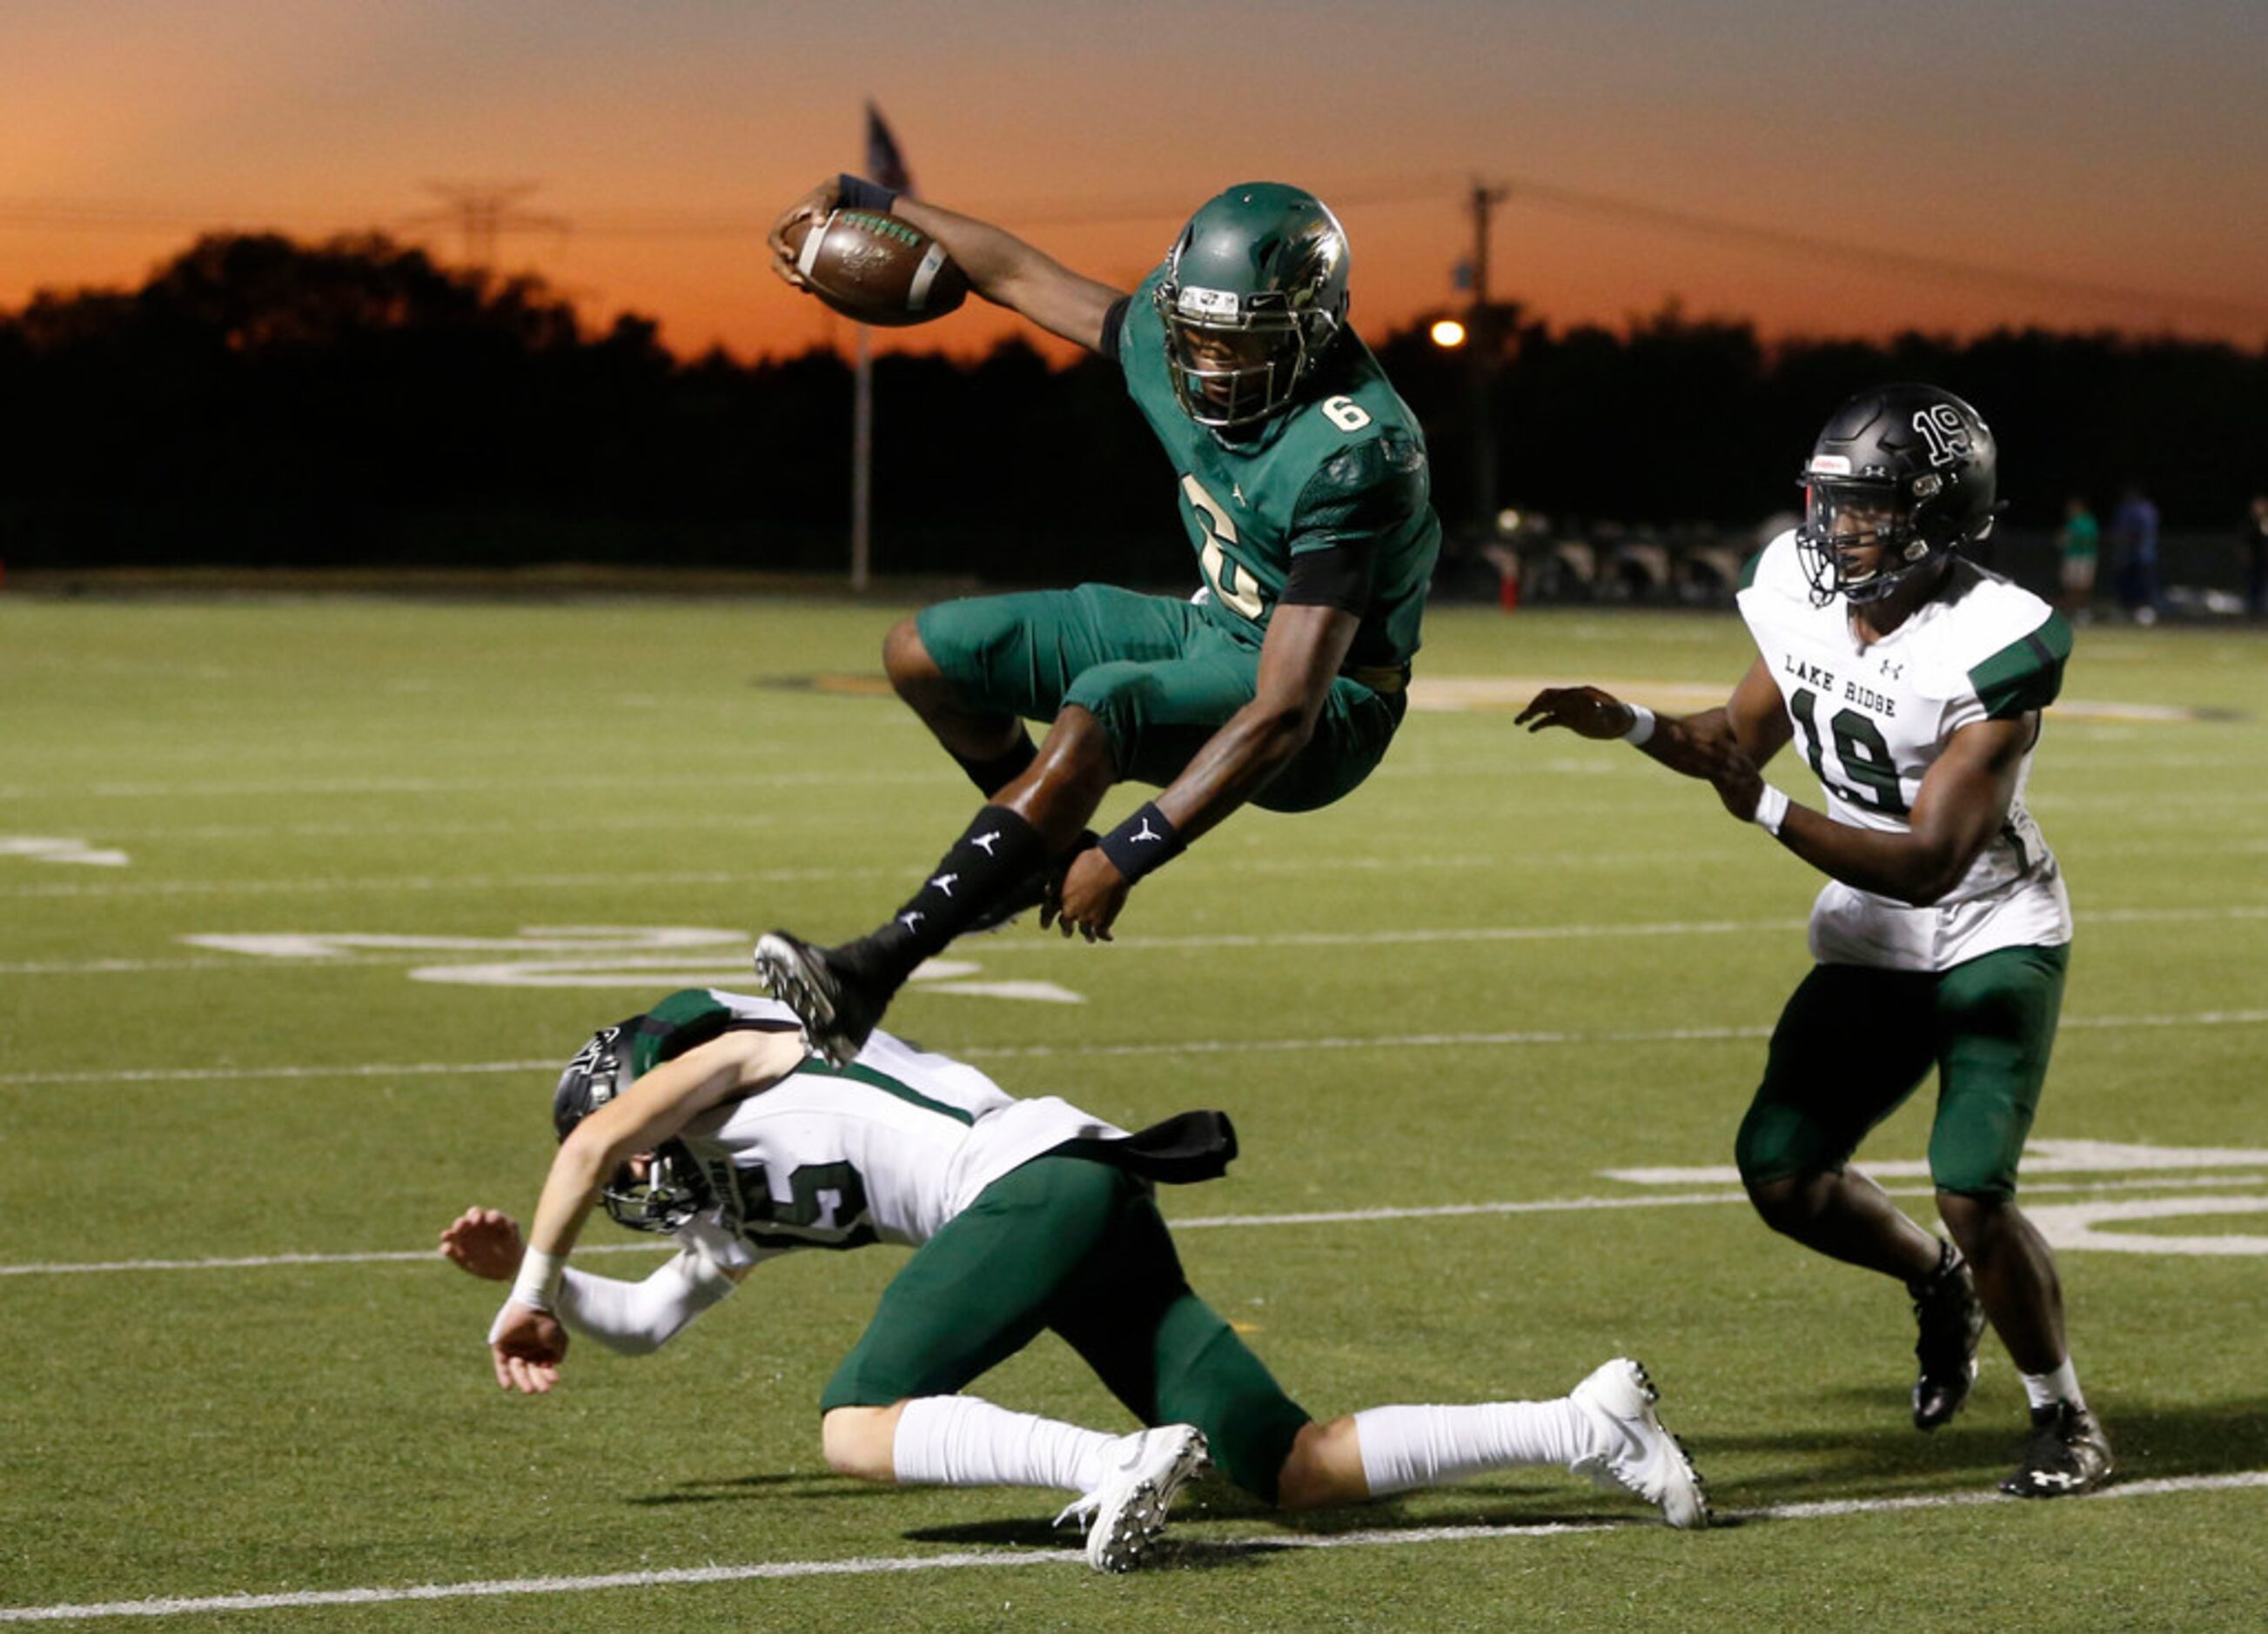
{"x":886,"y":1150}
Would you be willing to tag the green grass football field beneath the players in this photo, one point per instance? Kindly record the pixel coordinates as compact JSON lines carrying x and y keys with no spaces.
{"x":452,"y":840}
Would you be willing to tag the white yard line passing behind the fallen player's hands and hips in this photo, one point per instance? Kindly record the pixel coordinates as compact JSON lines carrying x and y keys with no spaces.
{"x":1190,"y":1223}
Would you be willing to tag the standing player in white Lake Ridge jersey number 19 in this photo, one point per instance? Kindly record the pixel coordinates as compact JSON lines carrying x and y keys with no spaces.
{"x":1913,"y":683}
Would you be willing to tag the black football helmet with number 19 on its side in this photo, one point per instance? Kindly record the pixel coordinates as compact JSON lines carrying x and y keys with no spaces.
{"x":1918,"y":463}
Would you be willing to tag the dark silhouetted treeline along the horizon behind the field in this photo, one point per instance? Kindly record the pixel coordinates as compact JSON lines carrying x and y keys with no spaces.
{"x":264,"y":402}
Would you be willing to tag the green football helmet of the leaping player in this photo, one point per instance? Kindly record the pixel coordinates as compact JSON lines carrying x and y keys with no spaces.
{"x":1255,"y":293}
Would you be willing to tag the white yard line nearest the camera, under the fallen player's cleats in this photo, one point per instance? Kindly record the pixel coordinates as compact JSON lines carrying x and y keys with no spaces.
{"x":988,"y":1560}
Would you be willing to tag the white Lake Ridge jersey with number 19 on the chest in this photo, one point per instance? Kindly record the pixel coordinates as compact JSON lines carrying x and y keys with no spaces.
{"x":1875,"y":717}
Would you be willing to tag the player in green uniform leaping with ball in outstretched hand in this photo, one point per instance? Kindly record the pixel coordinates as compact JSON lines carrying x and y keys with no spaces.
{"x":1305,"y":493}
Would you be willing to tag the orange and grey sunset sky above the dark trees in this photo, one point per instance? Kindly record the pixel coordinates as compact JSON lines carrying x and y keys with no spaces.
{"x":2063,"y":162}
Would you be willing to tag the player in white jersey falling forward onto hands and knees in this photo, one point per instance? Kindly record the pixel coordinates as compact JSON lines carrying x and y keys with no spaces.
{"x":709,"y":1121}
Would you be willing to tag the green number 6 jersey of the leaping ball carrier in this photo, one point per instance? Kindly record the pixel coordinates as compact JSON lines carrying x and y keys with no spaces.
{"x":1344,"y":470}
